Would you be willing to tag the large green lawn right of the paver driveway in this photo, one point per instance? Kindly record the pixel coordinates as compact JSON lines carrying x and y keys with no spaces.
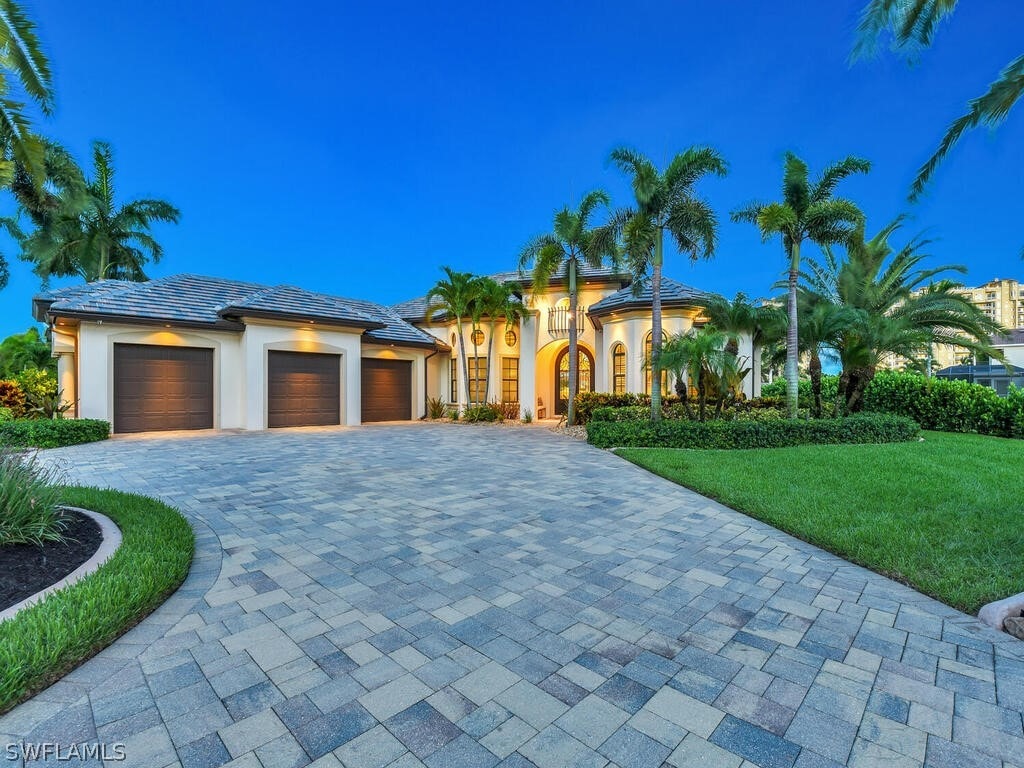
{"x":944,"y":516}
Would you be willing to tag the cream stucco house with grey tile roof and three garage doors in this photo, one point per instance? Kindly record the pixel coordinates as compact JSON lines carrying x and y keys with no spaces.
{"x":196,"y":353}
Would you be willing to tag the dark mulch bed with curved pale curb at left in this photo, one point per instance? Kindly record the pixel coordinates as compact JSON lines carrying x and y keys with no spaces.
{"x":27,"y":569}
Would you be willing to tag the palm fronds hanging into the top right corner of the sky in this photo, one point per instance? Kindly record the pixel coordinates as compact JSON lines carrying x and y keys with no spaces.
{"x":912,"y":25}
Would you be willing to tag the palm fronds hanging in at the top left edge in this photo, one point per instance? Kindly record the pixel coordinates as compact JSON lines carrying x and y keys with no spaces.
{"x":25,"y":78}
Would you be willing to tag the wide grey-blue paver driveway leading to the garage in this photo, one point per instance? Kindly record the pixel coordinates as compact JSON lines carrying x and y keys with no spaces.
{"x":460,"y":596}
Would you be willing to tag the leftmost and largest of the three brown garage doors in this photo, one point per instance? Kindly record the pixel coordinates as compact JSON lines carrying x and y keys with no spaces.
{"x":160,"y":389}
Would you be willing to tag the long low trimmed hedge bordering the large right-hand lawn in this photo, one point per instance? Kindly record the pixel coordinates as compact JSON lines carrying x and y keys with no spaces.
{"x":864,"y":429}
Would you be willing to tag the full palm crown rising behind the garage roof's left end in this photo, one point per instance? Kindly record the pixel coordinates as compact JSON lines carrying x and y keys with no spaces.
{"x":92,"y":236}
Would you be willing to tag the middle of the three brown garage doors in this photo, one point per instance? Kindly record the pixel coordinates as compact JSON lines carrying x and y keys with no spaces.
{"x":305,"y":390}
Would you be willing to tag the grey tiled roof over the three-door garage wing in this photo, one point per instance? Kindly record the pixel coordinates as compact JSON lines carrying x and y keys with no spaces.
{"x":198,"y":302}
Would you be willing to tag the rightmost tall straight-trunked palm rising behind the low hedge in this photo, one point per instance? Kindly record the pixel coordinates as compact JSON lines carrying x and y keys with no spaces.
{"x":807,"y":211}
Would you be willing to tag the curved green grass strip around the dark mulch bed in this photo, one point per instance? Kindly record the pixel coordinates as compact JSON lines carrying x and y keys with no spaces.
{"x":50,"y":639}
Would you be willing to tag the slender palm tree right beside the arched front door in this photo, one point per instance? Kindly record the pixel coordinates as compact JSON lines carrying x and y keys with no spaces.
{"x":573,"y":242}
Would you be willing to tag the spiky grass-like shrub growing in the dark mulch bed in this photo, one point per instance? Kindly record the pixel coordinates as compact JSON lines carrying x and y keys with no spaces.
{"x":30,"y":492}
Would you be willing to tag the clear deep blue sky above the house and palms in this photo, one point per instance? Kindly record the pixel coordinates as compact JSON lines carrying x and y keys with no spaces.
{"x":356,"y":148}
